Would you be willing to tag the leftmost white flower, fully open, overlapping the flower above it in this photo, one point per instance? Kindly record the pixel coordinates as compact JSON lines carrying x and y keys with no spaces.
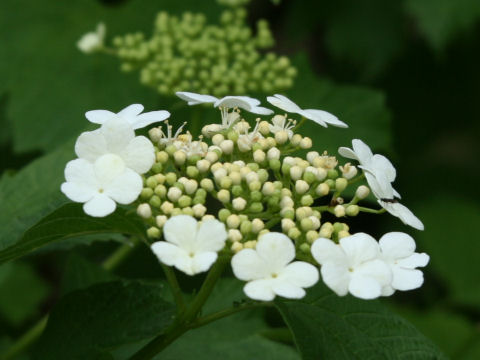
{"x":99,"y":185}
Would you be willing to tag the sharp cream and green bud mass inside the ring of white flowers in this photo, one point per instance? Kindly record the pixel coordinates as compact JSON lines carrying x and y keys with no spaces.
{"x":246,"y":177}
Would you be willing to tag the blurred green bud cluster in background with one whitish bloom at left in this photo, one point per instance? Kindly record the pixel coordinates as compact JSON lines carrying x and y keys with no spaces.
{"x":186,"y":53}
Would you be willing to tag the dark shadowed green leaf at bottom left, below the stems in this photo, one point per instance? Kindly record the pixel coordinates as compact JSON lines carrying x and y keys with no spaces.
{"x":88,"y":323}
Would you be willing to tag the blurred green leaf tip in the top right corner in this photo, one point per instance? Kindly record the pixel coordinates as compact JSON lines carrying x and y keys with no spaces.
{"x":441,"y":21}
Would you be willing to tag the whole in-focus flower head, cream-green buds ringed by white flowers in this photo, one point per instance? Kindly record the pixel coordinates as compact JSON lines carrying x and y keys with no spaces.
{"x":238,"y":192}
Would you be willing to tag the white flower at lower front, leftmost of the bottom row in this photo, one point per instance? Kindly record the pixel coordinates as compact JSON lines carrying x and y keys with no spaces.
{"x":190,"y":246}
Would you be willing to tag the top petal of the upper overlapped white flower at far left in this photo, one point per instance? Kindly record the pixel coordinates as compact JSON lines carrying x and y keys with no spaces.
{"x":117,"y":133}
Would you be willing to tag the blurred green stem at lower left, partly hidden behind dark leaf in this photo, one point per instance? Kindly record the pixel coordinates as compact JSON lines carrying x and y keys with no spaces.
{"x":32,"y":335}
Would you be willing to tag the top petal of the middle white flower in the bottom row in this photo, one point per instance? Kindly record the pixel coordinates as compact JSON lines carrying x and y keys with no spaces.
{"x":276,"y":249}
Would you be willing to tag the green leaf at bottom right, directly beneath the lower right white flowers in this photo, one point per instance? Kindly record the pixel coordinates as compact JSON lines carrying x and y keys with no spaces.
{"x":326,"y":326}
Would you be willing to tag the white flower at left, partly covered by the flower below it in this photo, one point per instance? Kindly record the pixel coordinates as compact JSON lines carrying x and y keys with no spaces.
{"x":117,"y":136}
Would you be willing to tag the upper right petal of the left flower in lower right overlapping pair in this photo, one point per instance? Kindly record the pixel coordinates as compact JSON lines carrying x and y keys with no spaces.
{"x":359,"y":248}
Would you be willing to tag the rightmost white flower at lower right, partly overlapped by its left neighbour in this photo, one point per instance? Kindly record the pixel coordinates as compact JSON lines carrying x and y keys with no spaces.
{"x":398,"y":251}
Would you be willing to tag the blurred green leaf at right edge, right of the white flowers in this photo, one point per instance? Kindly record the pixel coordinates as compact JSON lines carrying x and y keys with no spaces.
{"x":450,"y":225}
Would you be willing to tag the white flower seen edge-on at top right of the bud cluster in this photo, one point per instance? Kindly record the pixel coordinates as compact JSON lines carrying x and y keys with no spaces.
{"x":319,"y":116}
